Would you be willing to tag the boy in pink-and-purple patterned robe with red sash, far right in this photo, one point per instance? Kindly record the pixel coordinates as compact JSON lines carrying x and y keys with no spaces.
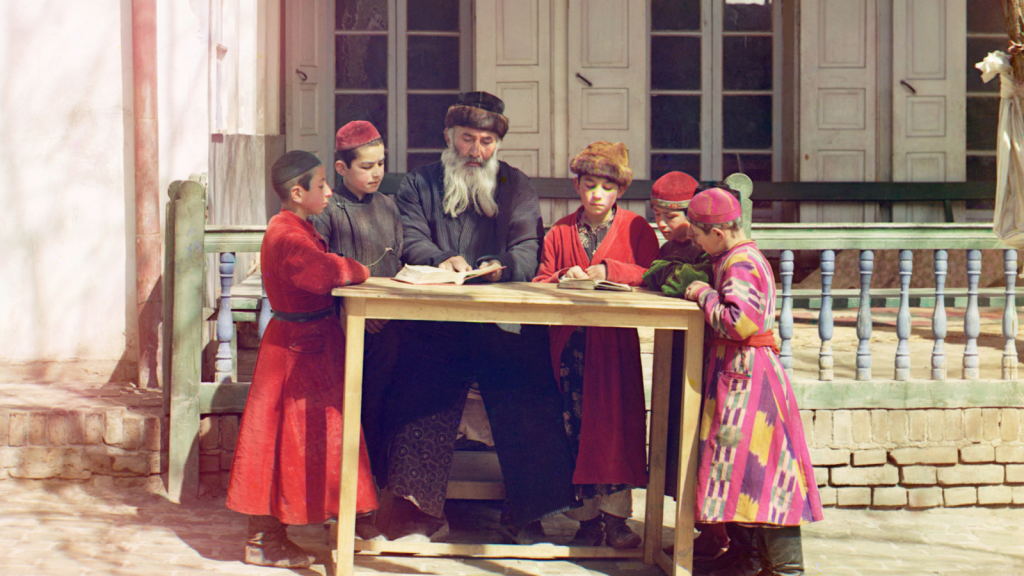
{"x":754,"y":467}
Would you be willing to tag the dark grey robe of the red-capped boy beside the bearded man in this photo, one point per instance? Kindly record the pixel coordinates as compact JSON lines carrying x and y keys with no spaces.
{"x":365,"y":230}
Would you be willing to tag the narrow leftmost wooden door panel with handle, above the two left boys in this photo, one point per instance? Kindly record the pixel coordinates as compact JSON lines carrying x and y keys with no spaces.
{"x":310,"y":77}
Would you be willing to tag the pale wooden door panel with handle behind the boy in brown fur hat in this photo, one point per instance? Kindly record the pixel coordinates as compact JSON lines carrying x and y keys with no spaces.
{"x":608,"y":77}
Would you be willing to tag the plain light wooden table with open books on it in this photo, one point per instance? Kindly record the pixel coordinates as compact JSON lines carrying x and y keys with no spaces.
{"x":536,"y":304}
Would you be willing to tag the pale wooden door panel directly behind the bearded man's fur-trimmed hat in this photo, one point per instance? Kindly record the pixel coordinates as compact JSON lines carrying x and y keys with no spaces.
{"x":514,"y":62}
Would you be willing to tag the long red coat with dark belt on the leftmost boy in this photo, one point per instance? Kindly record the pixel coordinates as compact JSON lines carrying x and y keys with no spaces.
{"x":289,"y":449}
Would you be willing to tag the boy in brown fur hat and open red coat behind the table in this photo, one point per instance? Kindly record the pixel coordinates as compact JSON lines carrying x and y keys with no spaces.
{"x":599,"y":369}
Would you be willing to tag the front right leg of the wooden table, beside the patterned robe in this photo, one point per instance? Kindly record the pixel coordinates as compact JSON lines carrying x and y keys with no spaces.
{"x":689,"y":438}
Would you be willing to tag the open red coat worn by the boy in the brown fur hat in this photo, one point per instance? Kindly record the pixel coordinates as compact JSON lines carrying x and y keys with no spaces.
{"x":613,"y":437}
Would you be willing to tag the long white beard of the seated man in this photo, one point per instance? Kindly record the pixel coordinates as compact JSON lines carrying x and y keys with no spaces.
{"x":470,"y":184}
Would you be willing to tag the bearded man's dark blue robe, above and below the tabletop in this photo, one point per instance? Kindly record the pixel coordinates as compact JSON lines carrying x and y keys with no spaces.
{"x":514,"y":372}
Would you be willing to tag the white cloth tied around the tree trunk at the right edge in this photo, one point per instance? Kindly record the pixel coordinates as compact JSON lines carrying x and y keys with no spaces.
{"x":1008,"y":223}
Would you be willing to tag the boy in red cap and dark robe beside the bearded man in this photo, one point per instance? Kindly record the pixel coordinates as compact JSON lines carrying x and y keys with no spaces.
{"x":362,"y":225}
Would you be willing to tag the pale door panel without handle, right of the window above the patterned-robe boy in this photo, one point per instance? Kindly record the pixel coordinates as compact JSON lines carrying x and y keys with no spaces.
{"x":838,"y":56}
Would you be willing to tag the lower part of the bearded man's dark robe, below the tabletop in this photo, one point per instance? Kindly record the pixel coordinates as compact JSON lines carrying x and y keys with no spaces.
{"x":519,"y":389}
